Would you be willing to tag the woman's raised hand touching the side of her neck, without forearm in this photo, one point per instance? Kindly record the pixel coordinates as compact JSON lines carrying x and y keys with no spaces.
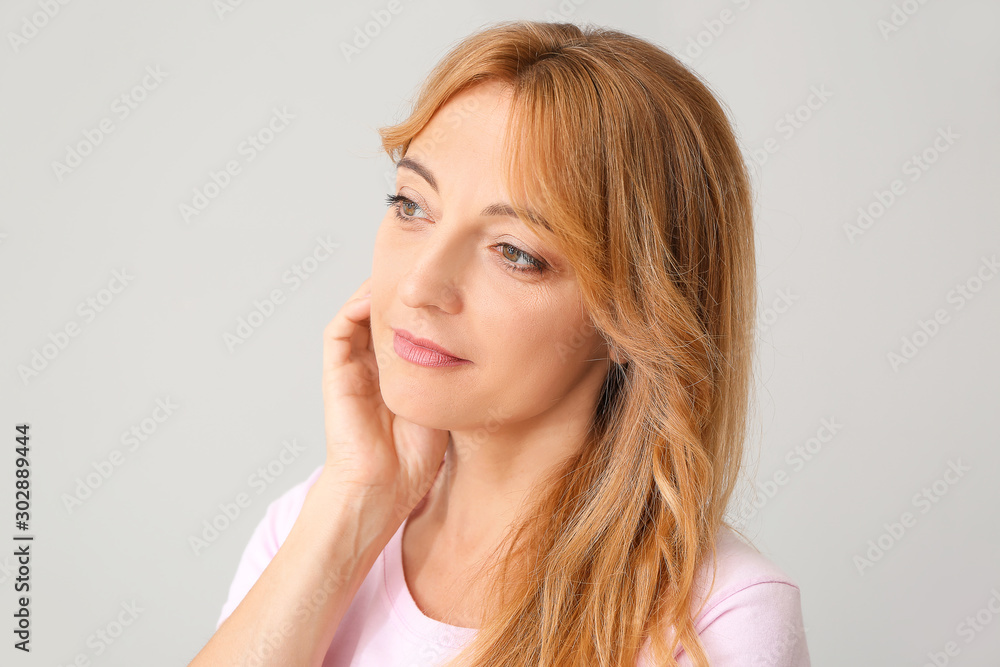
{"x":372,"y":455}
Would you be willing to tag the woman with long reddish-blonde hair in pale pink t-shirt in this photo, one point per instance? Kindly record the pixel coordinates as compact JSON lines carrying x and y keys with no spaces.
{"x":535,"y":406}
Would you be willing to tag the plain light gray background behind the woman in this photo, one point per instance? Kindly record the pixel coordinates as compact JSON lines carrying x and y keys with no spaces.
{"x":832,"y":310}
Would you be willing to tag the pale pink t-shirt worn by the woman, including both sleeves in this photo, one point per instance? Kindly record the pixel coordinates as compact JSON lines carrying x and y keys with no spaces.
{"x":753,"y":616}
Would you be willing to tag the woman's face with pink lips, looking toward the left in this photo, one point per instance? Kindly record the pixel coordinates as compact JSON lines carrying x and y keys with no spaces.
{"x":465,"y":277}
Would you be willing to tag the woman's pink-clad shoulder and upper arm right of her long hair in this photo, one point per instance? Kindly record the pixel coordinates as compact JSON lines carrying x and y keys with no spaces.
{"x":752,"y":612}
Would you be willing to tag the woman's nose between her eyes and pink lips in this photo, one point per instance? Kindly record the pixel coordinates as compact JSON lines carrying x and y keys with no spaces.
{"x":436,"y":275}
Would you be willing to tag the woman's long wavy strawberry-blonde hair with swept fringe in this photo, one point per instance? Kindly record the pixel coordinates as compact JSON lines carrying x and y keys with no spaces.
{"x":622,"y":158}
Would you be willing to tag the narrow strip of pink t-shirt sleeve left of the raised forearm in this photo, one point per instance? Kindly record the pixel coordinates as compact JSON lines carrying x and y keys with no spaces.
{"x":267,"y":537}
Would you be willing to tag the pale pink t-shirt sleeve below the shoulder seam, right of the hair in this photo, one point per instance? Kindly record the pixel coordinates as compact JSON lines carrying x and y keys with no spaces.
{"x":759,"y":625}
